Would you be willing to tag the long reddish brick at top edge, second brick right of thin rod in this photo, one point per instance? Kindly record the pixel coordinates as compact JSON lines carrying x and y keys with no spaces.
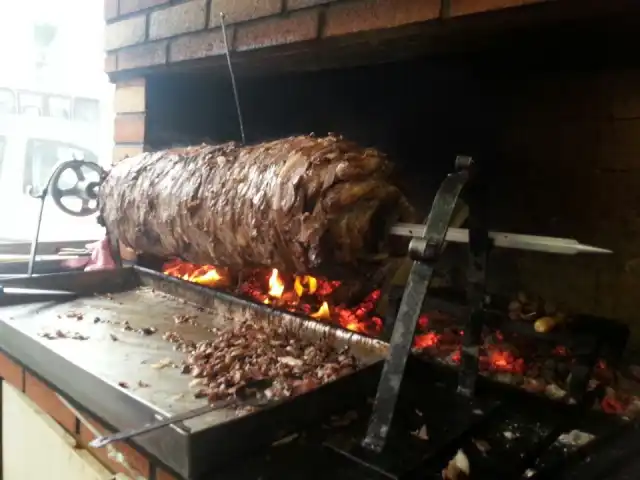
{"x":353,"y":17}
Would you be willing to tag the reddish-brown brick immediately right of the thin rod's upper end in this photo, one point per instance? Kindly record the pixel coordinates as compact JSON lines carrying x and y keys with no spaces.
{"x":296,"y":27}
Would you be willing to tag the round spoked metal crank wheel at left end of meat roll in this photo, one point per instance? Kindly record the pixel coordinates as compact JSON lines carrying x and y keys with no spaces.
{"x":83,"y":189}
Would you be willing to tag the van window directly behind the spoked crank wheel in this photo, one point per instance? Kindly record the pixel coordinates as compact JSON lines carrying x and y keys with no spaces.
{"x":44,"y":155}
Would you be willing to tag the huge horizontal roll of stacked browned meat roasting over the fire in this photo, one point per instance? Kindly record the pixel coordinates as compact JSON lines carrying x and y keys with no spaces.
{"x":303,"y":204}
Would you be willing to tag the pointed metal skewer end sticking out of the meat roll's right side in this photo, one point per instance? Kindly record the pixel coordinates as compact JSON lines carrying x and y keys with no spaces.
{"x":535,"y":243}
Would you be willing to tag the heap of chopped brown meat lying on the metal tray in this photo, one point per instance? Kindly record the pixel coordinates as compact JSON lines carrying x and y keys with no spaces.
{"x":254,"y":351}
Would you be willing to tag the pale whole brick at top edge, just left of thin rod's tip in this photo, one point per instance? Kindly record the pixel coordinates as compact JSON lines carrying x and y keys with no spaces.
{"x":183,"y":18}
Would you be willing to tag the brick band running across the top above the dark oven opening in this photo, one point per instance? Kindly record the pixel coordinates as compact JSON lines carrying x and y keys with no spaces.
{"x":150,"y":33}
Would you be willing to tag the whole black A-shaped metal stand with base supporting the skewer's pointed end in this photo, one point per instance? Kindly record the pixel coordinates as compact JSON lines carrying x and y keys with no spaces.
{"x":391,"y":453}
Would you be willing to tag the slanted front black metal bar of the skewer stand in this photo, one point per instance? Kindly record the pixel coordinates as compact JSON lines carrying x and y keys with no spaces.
{"x":425,"y":252}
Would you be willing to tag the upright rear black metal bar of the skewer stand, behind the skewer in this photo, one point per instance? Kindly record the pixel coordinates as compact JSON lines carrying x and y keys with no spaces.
{"x":479,"y":246}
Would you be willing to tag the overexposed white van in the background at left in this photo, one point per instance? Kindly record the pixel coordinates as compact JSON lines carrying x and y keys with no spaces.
{"x":31,"y":145}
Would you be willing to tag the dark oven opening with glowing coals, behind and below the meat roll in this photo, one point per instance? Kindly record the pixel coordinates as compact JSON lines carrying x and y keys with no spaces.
{"x":544,"y":132}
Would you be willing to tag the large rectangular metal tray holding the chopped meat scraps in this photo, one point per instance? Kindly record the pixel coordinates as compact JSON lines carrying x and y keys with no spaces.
{"x":88,"y":372}
